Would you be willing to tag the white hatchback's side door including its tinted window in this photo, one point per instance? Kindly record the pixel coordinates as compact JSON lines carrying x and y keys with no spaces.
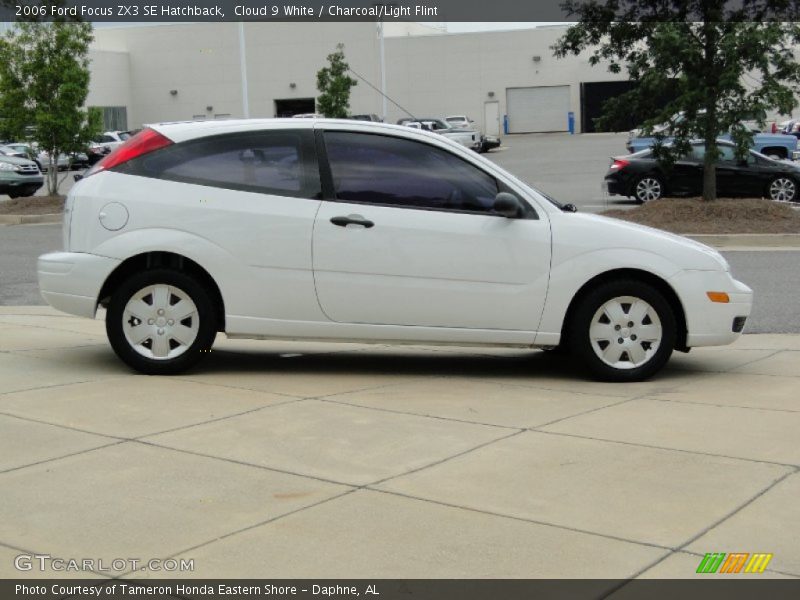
{"x":409,"y":238}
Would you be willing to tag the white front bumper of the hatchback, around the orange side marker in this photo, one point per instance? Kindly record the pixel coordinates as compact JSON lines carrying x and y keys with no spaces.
{"x":712,"y":323}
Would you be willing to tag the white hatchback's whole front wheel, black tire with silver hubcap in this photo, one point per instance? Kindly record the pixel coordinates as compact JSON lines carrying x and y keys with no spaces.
{"x":653,"y":356}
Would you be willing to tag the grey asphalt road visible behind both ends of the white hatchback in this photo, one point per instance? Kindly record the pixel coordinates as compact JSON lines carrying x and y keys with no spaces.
{"x":771,"y":274}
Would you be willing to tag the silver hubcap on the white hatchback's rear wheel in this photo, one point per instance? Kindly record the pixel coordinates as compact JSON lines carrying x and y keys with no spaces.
{"x":160,"y":322}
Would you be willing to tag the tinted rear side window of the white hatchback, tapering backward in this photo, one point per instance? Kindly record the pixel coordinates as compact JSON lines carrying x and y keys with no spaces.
{"x":281,"y":163}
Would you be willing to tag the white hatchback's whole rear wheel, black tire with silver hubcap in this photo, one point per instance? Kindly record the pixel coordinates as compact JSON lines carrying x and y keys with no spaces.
{"x":160,"y":322}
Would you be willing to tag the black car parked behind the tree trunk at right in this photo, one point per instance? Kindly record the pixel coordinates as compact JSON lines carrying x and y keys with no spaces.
{"x":643,"y":178}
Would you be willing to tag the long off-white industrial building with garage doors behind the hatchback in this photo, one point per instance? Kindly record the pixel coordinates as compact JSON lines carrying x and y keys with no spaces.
{"x":201,"y":71}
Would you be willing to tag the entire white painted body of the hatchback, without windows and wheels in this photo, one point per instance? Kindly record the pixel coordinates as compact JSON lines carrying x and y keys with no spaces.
{"x":424,"y":276}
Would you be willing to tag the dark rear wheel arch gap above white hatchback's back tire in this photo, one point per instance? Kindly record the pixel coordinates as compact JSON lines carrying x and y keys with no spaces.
{"x":161,"y":259}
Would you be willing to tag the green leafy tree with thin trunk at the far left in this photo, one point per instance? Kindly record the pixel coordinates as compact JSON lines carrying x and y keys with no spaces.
{"x":44,"y":81}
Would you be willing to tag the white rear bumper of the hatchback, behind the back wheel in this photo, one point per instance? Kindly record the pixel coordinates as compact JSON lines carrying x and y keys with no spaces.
{"x":71,"y":281}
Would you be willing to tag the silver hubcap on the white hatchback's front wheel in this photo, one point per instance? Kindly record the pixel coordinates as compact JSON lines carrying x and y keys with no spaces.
{"x":625,"y":332}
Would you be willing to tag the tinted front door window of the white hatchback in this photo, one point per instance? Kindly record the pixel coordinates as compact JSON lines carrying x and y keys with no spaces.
{"x":378,"y":169}
